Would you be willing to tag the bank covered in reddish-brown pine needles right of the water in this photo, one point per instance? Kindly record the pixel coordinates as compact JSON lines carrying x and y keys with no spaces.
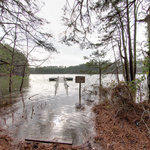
{"x":122,"y":130}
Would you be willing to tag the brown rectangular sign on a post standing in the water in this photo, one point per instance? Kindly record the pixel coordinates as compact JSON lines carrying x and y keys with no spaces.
{"x":80,"y":79}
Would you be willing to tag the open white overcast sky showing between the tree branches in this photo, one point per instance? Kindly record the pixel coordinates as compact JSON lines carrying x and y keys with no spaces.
{"x":68,"y":55}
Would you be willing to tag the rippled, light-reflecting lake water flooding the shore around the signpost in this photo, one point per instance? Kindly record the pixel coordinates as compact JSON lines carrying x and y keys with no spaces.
{"x":46,"y":110}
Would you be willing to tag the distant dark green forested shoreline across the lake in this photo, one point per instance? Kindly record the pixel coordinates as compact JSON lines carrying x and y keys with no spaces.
{"x":80,"y":69}
